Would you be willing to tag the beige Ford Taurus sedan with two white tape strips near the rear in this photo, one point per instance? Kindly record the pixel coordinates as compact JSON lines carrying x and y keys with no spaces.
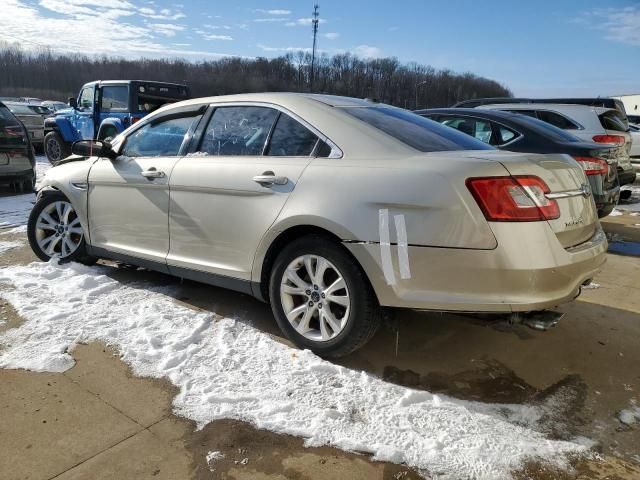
{"x":328,"y":208}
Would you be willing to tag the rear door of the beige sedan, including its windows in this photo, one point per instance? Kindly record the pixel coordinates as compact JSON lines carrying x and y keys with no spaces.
{"x":226,"y":194}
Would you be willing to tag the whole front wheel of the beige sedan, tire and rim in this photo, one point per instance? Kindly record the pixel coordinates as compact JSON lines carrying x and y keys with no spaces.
{"x":54,"y":230}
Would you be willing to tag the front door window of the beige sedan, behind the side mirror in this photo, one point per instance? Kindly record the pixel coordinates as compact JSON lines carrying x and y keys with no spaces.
{"x":159,"y":139}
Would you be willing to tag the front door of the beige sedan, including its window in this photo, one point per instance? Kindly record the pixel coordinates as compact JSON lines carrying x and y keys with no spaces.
{"x":129,"y":196}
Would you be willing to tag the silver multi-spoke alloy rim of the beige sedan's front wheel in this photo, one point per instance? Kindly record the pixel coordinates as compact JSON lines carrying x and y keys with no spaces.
{"x":58,"y":230}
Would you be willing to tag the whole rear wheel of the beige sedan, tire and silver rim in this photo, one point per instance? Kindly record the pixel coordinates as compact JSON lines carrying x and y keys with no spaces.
{"x":321,"y":299}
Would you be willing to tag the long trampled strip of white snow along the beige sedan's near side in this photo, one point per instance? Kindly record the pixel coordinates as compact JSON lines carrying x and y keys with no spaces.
{"x":224,"y":368}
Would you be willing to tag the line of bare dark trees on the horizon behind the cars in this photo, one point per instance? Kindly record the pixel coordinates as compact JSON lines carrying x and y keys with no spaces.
{"x":58,"y":76}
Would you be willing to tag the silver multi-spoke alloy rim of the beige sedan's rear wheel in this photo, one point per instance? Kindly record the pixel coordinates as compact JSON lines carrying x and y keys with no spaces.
{"x":315,"y":298}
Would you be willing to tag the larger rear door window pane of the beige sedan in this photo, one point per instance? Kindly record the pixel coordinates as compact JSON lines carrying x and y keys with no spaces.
{"x":238,"y":131}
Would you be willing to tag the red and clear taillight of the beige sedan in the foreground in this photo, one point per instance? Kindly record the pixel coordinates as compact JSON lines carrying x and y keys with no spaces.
{"x":513,"y":199}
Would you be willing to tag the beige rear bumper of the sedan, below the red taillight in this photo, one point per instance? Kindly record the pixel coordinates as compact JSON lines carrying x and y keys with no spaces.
{"x":526,"y":272}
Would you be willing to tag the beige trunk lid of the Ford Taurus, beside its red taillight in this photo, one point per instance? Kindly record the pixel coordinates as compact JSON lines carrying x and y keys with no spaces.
{"x":568,"y":186}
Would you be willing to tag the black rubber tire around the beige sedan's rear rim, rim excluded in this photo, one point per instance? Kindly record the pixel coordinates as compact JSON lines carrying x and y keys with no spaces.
{"x":365,"y":313}
